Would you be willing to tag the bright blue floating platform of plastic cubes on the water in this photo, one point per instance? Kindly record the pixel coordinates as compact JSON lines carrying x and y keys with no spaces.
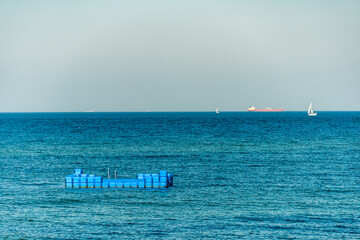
{"x":80,"y":180}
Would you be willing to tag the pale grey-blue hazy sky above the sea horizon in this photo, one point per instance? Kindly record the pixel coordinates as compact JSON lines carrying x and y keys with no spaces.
{"x":157,"y":55}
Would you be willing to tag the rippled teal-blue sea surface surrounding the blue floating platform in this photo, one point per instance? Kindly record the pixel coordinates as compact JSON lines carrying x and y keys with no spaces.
{"x":237,"y":175}
